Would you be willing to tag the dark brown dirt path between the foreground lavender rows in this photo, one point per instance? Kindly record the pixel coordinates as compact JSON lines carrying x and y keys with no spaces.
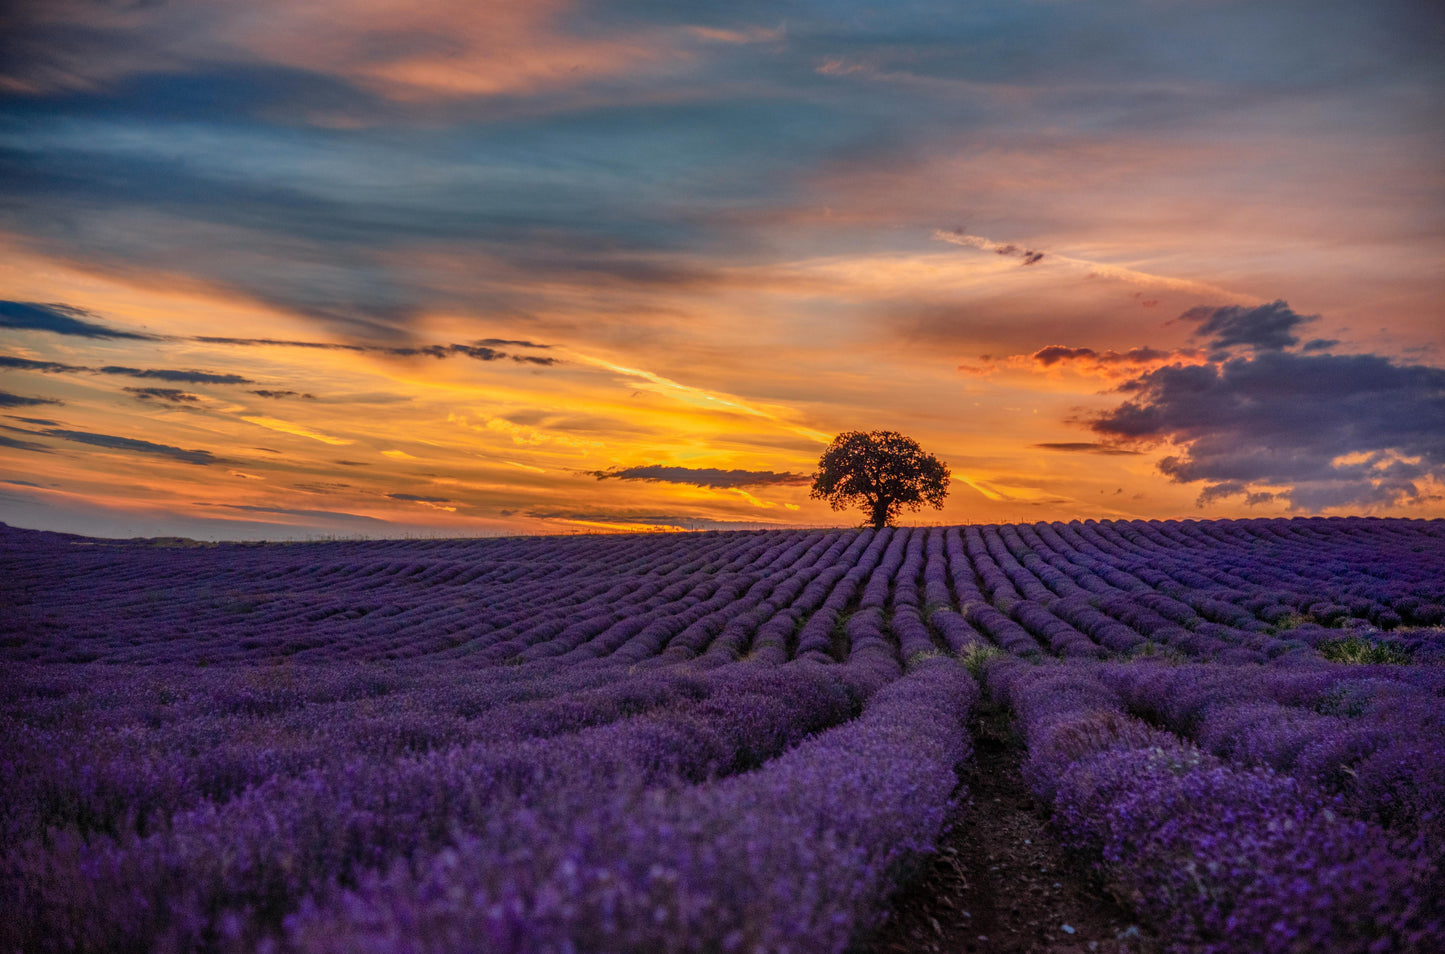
{"x":1001,"y":882}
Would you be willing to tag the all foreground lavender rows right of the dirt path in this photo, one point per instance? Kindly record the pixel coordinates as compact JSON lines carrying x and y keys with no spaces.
{"x":1308,"y":832}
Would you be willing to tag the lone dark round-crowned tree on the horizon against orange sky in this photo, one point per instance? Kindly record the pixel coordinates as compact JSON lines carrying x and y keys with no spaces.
{"x":882,"y":473}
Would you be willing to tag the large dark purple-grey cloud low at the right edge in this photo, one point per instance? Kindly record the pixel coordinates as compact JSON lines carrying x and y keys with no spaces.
{"x":1349,"y":430}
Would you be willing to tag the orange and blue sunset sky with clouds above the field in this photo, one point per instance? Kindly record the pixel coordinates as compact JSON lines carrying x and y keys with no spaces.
{"x":298,"y":270}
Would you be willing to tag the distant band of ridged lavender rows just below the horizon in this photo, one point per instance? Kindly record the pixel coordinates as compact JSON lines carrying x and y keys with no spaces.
{"x":1242,"y":592}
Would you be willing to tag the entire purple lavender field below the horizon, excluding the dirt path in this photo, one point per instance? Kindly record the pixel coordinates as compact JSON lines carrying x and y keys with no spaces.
{"x":715,"y":742}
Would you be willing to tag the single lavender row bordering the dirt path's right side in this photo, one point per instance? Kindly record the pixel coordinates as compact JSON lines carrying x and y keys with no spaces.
{"x":1223,"y":858}
